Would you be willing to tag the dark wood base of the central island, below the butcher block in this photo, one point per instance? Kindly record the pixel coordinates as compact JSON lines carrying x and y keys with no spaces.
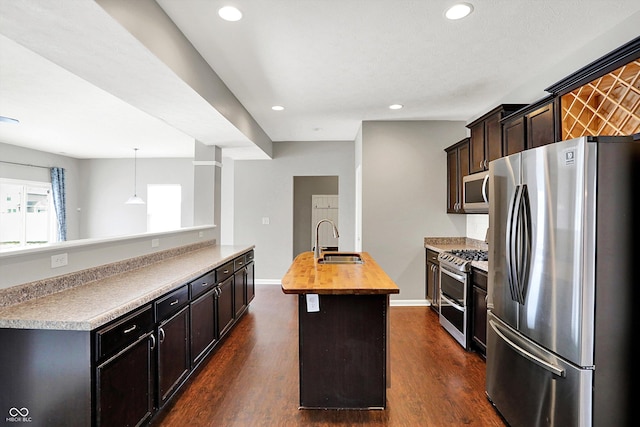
{"x":343,"y":352}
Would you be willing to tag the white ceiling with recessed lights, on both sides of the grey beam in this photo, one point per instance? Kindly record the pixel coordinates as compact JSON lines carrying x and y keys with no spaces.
{"x":80,"y":84}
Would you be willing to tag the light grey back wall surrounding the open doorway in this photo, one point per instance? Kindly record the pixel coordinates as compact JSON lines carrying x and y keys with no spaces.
{"x":264,"y":188}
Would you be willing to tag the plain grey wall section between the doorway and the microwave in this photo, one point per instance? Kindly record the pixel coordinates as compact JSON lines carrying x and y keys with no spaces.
{"x":404,"y":196}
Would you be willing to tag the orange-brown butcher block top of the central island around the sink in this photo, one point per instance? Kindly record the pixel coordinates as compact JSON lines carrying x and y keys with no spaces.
{"x":307,"y":276}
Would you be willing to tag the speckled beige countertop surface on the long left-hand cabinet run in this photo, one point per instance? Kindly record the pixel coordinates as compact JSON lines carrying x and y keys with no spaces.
{"x":95,"y":303}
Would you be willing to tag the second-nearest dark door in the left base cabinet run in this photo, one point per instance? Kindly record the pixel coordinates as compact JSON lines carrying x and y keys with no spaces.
{"x":173,"y":354}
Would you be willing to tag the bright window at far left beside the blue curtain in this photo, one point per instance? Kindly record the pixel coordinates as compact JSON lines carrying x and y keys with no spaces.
{"x":27,"y":216}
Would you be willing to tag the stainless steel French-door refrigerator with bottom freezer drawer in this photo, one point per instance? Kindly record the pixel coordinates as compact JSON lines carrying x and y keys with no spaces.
{"x":563,"y":279}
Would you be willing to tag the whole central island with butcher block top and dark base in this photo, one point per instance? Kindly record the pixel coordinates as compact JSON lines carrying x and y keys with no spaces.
{"x":343,"y":306}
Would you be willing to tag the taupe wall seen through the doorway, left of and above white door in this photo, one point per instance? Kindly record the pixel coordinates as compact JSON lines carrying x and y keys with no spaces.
{"x":304,"y":187}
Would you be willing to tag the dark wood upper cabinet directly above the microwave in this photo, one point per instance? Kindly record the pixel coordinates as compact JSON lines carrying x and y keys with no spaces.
{"x":486,"y":137}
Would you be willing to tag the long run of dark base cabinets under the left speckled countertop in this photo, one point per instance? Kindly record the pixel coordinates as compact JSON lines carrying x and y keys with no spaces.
{"x":125,"y":372}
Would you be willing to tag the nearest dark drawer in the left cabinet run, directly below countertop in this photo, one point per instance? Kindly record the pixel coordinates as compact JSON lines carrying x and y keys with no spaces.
{"x":115,"y":337}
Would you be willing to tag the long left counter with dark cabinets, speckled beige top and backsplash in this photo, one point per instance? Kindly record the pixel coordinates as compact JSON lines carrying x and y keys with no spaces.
{"x":113,"y":344}
